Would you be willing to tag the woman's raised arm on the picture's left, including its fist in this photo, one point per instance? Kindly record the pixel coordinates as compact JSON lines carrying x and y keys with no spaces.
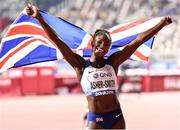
{"x":75,"y":60}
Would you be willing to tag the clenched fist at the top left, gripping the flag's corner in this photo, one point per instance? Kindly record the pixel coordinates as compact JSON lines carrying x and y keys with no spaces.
{"x":33,"y":11}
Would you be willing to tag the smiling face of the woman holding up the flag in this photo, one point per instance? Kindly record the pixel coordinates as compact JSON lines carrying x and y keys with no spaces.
{"x":101,"y":45}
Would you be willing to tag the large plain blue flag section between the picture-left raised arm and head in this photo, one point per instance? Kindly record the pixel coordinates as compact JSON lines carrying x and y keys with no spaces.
{"x":69,"y":33}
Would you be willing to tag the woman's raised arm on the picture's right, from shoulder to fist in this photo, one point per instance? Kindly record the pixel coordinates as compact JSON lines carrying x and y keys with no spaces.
{"x":119,"y":57}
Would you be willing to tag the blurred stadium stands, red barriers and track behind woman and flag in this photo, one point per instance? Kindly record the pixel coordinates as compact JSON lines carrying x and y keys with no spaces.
{"x":43,"y":95}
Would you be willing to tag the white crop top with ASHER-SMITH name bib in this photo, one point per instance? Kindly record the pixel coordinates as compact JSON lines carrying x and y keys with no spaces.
{"x":99,"y":81}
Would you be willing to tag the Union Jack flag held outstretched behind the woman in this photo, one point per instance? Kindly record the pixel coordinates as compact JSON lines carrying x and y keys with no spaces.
{"x":27,"y":43}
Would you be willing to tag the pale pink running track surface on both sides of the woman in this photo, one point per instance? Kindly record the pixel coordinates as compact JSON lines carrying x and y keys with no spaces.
{"x":144,"y":111}
